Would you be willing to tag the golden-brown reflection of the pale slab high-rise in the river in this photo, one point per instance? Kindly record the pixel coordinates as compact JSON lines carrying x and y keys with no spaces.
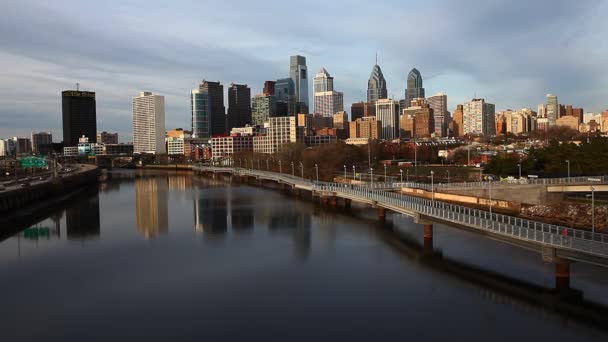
{"x":152,"y":205}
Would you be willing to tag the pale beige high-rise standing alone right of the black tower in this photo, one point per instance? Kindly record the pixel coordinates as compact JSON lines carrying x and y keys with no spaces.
{"x":149,"y":123}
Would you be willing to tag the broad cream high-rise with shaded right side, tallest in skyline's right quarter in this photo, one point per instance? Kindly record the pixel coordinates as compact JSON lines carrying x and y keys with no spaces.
{"x":479,"y":118}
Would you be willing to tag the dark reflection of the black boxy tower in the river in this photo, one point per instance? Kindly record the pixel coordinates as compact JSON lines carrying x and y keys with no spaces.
{"x":82,"y":219}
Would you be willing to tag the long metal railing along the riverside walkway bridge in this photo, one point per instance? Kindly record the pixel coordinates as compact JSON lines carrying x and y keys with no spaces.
{"x":519,"y":228}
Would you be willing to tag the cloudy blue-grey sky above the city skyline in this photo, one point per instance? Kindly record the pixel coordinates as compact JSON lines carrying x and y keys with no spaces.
{"x":512,"y":53}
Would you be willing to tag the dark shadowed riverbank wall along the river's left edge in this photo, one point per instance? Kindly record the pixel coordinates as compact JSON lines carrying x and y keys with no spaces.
{"x":38,"y":194}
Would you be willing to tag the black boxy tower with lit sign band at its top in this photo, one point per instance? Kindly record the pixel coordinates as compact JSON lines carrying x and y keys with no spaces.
{"x":79,"y":116}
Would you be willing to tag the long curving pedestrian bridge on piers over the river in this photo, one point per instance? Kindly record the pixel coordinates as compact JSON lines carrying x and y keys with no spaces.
{"x":557,"y":244}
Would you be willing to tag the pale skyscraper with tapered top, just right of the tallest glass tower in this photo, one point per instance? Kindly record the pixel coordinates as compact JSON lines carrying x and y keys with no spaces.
{"x":327,"y":101}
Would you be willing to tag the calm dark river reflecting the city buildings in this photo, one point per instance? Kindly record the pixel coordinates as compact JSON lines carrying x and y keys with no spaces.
{"x":165,"y":254}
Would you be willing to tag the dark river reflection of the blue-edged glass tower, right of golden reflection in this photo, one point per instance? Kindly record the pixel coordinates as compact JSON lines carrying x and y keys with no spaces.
{"x":210,"y":215}
